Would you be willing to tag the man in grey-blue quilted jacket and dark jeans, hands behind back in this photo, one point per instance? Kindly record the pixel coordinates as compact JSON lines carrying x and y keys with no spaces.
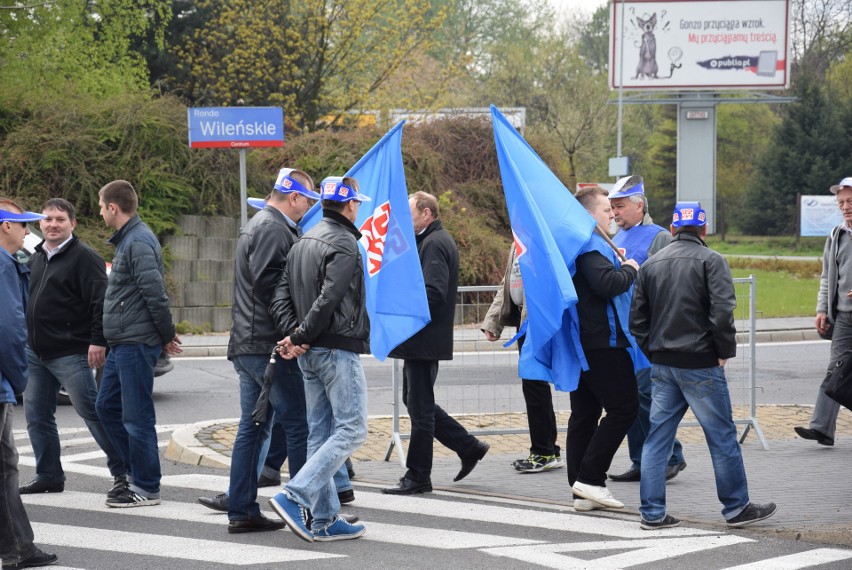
{"x":138,"y":326}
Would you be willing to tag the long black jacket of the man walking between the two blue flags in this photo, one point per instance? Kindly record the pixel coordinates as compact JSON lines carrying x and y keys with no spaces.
{"x":439,"y":260}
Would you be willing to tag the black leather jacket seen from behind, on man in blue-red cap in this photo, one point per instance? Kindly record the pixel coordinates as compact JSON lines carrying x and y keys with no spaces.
{"x":683,"y":306}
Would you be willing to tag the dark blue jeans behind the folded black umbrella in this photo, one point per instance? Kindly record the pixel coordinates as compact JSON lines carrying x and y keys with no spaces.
{"x":286,"y":407}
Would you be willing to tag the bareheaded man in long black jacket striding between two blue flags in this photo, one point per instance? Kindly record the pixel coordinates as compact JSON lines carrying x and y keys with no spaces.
{"x":439,"y":259}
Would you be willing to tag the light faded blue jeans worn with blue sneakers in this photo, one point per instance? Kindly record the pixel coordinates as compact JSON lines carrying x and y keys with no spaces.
{"x":336,"y":395}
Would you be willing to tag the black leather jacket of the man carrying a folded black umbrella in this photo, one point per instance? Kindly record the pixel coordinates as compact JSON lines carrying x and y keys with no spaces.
{"x":261,"y":256}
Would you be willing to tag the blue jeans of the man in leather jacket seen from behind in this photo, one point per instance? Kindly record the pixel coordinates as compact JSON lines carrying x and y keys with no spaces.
{"x":705,"y":391}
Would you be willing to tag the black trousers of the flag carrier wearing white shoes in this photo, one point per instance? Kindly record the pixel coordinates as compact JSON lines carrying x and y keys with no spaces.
{"x":609,"y":385}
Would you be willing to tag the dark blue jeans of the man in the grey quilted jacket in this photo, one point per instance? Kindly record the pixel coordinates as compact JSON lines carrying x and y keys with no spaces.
{"x":125,"y":406}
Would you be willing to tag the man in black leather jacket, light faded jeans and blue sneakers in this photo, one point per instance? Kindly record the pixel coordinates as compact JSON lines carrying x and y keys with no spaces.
{"x":320,"y":306}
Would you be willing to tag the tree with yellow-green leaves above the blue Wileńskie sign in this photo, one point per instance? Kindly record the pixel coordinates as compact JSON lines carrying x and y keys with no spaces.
{"x":312,"y":57}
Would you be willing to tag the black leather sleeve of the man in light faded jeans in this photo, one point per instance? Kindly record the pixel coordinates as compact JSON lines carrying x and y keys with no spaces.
{"x":340,"y":264}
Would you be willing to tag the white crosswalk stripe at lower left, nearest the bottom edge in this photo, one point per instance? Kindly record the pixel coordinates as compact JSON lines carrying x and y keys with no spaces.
{"x":165,"y":546}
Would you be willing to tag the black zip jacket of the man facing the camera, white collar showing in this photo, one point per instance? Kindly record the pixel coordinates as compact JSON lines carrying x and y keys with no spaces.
{"x":65,"y":311}
